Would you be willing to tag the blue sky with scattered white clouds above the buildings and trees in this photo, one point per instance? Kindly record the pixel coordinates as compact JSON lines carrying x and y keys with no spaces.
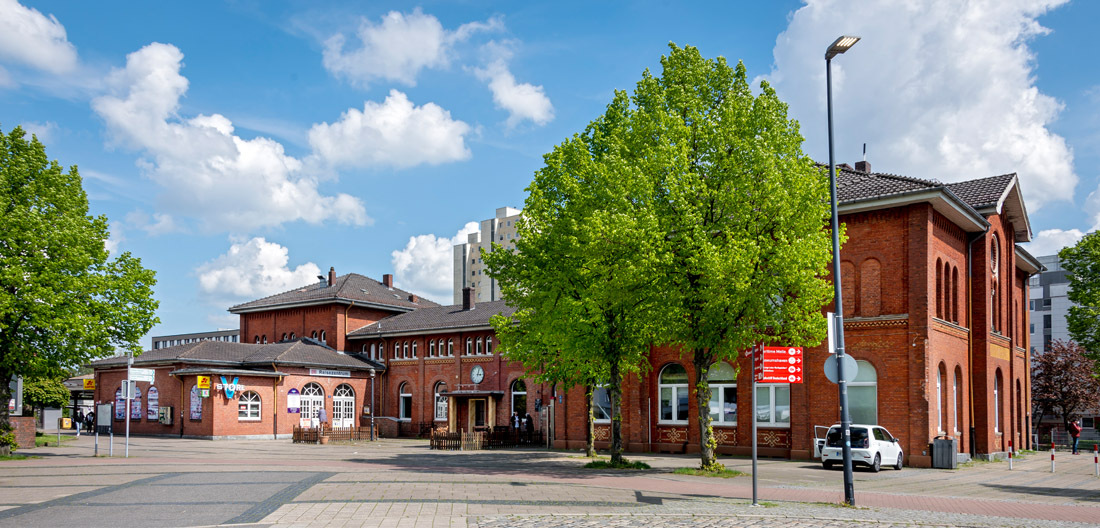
{"x":241,"y":149}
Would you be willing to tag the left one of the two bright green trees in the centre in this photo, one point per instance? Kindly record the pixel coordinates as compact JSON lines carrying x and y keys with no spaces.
{"x":579,"y":278}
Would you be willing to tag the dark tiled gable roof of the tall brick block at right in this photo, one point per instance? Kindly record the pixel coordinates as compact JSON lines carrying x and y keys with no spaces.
{"x":967,"y":204}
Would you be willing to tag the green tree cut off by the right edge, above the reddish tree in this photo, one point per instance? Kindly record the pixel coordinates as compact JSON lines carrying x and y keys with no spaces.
{"x":1083,"y":263}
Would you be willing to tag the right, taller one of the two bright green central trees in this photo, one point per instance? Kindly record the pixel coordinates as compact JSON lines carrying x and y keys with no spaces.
{"x":744,"y":213}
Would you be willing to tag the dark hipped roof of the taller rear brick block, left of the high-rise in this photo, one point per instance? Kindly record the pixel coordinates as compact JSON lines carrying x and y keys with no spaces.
{"x":346,"y":290}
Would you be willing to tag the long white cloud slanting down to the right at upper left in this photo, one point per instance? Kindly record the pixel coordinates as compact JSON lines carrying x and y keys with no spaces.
{"x":207,"y":172}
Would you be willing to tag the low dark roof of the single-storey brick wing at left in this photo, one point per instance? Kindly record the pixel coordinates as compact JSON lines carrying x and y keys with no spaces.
{"x":300,"y":353}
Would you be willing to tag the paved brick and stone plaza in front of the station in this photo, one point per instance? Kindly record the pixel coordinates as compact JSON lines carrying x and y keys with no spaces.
{"x":402,"y":483}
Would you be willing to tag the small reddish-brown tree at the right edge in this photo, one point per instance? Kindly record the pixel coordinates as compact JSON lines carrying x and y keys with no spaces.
{"x":1063,"y":382}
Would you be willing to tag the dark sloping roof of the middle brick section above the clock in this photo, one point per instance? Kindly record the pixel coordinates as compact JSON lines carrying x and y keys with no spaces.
{"x":437,"y":318}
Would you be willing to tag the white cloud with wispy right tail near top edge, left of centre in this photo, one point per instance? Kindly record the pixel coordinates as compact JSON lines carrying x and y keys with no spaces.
{"x":399,"y":48}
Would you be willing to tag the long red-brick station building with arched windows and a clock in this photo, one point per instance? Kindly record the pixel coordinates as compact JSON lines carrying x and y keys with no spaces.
{"x":936,"y":298}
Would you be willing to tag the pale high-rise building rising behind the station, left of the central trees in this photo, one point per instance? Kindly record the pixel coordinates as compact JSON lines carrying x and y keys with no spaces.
{"x":470,"y":267}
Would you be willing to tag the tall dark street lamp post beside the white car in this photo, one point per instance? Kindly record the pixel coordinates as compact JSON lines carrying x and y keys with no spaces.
{"x":839,"y":47}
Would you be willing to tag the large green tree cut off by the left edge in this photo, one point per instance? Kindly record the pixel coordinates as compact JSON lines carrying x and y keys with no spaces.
{"x":62,"y":301}
